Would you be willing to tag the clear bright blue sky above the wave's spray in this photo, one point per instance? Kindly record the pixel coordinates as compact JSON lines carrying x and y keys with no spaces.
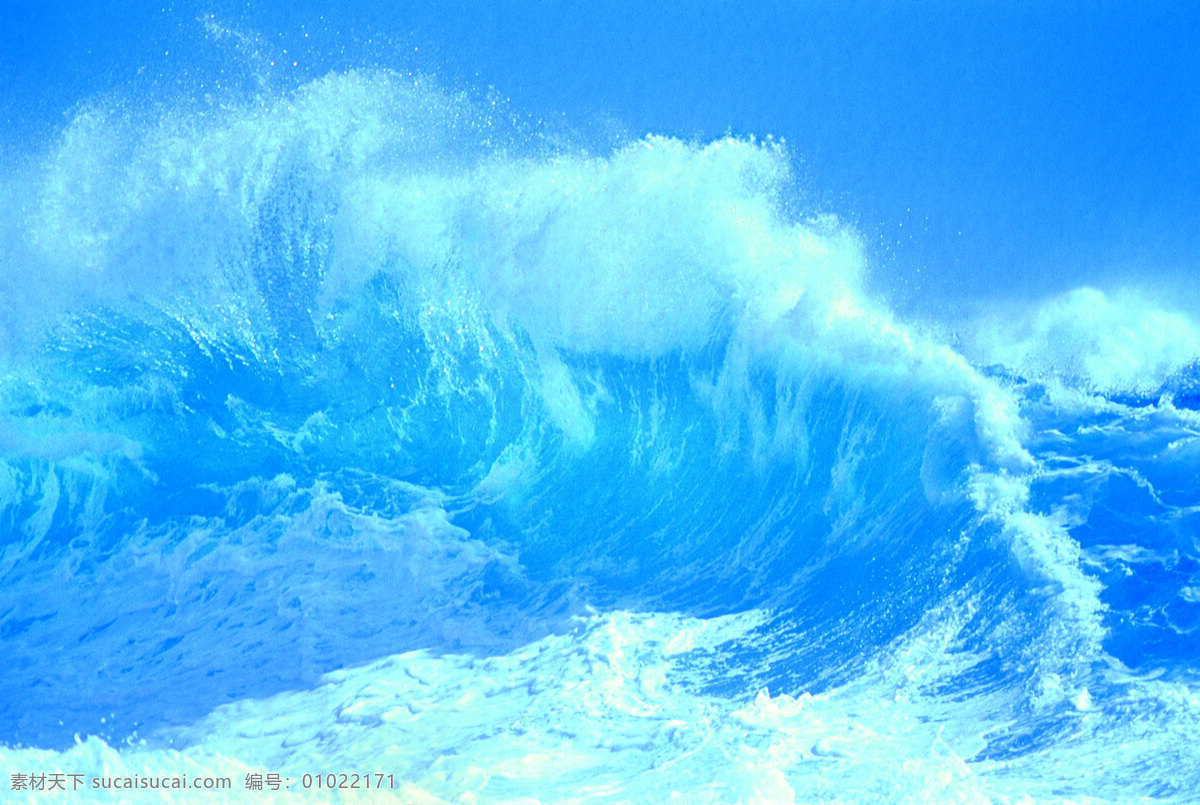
{"x":981,"y":148}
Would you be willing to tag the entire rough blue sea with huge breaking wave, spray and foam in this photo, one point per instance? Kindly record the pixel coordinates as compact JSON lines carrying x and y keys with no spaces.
{"x":363,"y":429}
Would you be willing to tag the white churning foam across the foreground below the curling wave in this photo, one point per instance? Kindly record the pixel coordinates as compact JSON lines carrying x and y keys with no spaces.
{"x":611,"y":712}
